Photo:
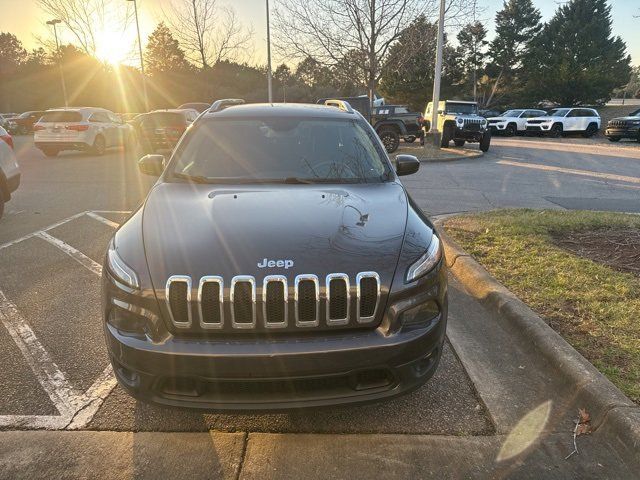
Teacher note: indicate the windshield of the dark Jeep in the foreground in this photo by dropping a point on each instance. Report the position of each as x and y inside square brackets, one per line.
[280, 149]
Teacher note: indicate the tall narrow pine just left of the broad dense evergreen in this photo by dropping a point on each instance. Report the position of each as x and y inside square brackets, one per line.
[517, 26]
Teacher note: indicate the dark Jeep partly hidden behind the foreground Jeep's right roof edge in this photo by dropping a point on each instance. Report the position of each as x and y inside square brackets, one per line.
[391, 122]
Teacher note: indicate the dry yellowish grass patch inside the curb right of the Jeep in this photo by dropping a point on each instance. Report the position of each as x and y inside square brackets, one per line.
[578, 270]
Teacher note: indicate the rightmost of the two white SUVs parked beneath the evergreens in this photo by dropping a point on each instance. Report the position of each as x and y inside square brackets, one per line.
[565, 120]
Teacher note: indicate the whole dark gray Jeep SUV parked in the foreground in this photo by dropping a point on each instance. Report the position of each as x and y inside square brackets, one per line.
[277, 263]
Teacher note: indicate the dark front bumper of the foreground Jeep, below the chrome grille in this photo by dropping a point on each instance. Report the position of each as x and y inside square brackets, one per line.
[272, 372]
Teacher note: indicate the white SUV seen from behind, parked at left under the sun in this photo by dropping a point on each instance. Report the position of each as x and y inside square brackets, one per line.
[87, 129]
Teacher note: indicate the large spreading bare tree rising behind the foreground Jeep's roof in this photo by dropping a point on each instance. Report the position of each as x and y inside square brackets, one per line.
[330, 30]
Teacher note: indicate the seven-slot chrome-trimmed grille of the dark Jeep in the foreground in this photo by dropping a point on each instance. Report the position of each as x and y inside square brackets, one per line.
[272, 304]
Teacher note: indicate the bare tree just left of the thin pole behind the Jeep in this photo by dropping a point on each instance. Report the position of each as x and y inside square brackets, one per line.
[208, 31]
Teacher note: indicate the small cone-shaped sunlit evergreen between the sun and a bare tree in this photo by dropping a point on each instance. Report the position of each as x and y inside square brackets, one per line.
[163, 53]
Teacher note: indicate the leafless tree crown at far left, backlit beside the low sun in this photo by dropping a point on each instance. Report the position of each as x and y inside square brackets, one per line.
[85, 19]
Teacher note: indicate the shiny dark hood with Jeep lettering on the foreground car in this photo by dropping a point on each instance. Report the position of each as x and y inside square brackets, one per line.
[226, 230]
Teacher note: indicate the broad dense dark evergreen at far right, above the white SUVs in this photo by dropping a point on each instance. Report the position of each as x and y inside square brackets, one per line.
[577, 61]
